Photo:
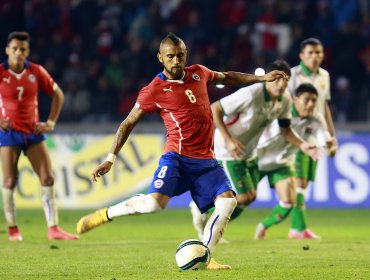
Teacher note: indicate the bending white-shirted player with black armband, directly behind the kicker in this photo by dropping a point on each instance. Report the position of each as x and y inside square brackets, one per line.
[240, 119]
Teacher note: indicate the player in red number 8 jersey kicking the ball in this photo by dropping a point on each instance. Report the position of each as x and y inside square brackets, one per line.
[179, 94]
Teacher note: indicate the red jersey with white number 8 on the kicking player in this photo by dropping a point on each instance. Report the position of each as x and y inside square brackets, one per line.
[185, 109]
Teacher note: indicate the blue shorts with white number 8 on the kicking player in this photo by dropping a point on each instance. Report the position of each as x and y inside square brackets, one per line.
[204, 178]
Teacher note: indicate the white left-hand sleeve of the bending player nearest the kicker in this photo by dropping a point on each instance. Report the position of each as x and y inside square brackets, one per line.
[236, 102]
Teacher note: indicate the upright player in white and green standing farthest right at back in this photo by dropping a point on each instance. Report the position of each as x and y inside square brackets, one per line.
[309, 71]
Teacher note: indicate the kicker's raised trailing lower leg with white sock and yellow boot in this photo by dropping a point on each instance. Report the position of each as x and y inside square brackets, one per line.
[138, 204]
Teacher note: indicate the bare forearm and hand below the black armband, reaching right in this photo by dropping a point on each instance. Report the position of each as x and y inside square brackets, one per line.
[293, 138]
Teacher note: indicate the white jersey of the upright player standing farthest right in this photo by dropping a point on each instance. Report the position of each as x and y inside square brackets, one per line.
[321, 81]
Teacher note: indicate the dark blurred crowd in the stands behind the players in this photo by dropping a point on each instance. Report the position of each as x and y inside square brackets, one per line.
[101, 52]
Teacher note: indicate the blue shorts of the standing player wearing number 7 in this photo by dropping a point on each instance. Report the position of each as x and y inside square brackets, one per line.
[19, 139]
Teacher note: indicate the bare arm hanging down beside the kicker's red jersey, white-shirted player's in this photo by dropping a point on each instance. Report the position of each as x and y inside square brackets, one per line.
[235, 147]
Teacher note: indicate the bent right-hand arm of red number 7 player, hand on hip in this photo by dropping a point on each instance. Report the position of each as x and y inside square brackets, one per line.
[56, 107]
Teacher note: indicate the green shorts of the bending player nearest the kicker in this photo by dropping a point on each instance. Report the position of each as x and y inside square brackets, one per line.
[244, 175]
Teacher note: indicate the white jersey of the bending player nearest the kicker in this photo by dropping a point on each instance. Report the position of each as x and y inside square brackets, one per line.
[247, 112]
